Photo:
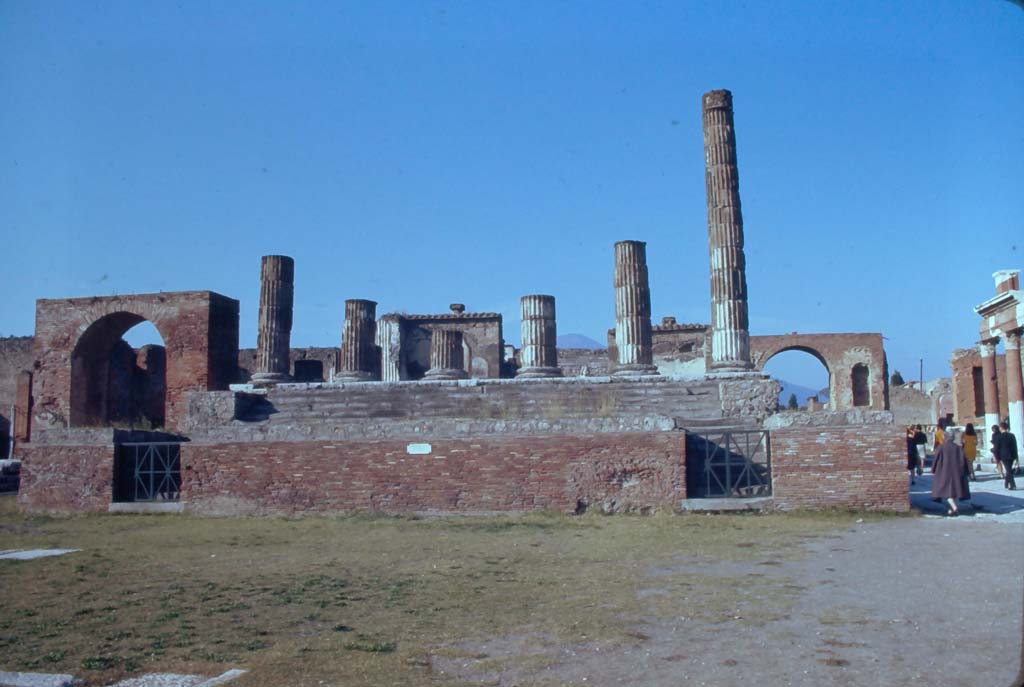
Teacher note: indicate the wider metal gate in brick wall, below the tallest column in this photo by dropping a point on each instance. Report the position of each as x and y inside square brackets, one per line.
[729, 464]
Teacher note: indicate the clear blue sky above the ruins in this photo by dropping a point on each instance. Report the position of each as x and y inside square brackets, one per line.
[420, 154]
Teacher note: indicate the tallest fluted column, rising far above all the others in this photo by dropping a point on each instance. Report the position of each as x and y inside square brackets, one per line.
[731, 345]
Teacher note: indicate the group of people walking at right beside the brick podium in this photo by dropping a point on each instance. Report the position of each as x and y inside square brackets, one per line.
[956, 453]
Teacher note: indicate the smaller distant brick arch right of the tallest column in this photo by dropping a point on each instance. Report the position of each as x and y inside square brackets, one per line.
[839, 354]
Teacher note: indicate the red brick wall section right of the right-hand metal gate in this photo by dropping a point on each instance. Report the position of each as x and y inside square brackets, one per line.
[862, 467]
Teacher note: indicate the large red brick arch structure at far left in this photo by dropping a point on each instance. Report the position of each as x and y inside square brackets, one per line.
[200, 330]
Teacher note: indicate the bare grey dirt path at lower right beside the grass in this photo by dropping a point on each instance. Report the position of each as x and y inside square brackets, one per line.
[900, 603]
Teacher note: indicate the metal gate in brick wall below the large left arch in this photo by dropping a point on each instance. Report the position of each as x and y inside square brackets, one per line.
[150, 471]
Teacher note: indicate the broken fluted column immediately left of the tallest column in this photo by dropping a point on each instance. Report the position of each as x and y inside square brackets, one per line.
[633, 311]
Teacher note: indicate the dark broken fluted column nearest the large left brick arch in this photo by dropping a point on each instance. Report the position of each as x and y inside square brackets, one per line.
[274, 338]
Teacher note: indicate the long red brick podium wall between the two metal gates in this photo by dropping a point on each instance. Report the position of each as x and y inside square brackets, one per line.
[633, 471]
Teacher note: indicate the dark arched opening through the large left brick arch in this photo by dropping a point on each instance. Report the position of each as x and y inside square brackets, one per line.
[119, 374]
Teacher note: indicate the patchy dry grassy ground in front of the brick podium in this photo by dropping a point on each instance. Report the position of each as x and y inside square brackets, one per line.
[364, 600]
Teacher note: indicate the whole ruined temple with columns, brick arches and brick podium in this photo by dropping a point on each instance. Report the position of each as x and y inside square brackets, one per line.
[436, 413]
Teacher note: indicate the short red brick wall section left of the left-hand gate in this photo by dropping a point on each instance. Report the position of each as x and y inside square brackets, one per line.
[66, 480]
